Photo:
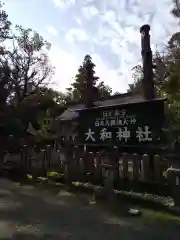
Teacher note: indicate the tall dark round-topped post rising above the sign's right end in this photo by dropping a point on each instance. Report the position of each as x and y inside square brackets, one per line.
[147, 82]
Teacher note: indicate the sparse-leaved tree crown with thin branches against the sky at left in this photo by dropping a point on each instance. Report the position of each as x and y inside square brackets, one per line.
[25, 65]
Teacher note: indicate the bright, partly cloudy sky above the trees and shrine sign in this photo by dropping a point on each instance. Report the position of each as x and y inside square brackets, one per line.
[108, 30]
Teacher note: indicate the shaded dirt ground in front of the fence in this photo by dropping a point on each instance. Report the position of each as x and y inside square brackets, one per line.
[28, 213]
